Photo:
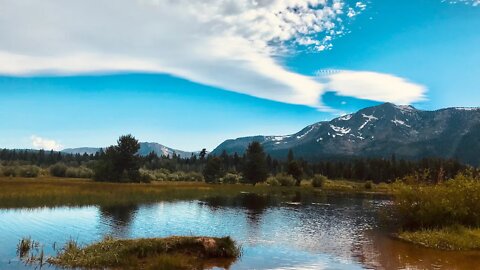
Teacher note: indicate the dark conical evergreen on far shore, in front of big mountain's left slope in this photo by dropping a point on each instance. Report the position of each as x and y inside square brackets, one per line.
[255, 167]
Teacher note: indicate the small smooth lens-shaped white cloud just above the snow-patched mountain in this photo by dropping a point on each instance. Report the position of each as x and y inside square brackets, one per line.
[373, 86]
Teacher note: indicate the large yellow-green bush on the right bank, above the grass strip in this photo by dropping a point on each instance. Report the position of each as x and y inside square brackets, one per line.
[453, 202]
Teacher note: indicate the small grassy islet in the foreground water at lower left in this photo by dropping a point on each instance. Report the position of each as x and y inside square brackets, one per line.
[148, 253]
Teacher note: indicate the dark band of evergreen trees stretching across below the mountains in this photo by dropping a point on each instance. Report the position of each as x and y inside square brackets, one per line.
[122, 163]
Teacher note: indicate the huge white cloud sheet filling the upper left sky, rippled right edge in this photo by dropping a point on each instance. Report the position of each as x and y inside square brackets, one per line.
[230, 44]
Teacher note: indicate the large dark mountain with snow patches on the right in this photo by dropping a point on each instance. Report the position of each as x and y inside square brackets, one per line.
[379, 131]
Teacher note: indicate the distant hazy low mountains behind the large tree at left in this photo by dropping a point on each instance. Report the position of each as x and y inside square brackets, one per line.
[145, 149]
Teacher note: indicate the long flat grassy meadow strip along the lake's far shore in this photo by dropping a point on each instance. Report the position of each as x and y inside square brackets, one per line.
[52, 191]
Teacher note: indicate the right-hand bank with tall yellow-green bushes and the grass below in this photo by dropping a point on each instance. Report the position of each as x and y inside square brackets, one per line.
[443, 215]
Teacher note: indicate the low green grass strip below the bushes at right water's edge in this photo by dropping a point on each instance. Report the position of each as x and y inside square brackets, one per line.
[450, 238]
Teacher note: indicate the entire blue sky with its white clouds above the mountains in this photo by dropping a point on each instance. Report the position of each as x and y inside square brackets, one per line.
[188, 81]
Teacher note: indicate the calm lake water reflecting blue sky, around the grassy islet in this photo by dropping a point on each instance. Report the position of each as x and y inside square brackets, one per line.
[327, 232]
